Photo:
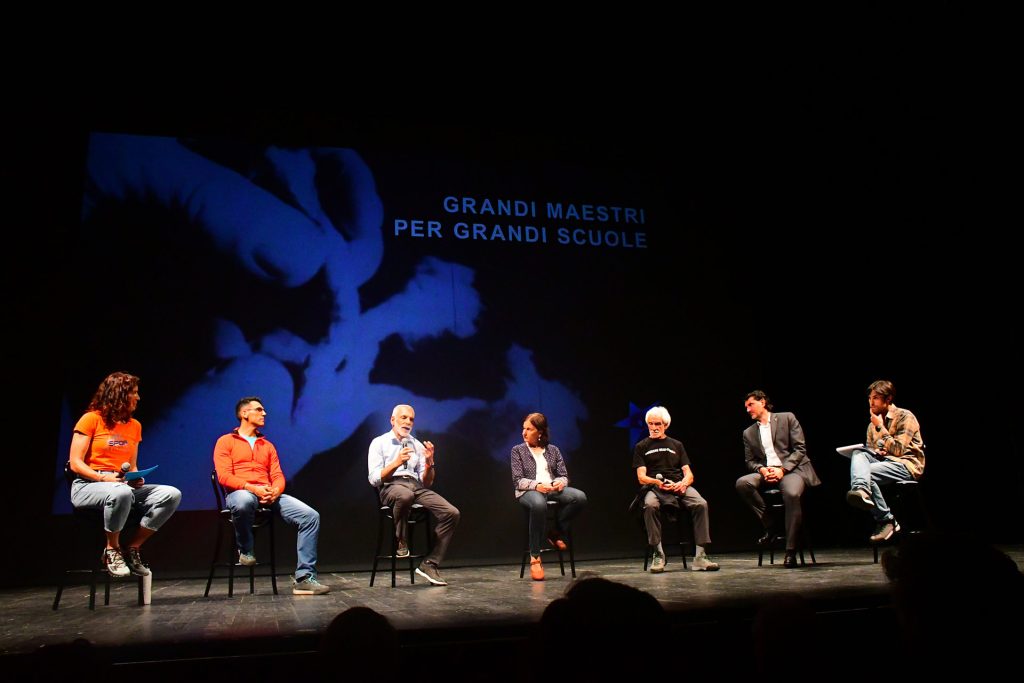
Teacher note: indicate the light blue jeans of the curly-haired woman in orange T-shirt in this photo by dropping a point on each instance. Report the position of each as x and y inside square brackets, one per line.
[156, 502]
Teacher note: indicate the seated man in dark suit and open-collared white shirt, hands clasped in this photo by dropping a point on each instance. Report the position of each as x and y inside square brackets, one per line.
[777, 457]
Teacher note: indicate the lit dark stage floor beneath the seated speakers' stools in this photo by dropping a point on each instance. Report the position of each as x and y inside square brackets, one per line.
[480, 603]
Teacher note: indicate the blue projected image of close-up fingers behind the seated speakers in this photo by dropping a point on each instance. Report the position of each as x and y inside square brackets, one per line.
[232, 234]
